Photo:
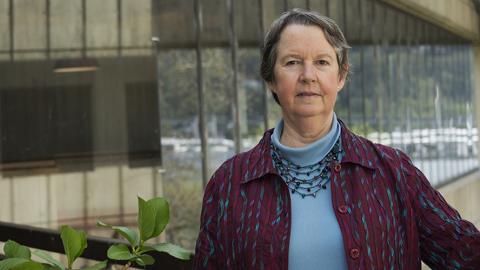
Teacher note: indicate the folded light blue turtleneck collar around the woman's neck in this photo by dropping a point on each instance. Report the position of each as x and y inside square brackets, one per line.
[311, 153]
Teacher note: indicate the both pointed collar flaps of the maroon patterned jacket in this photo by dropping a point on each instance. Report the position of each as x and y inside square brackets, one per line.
[358, 151]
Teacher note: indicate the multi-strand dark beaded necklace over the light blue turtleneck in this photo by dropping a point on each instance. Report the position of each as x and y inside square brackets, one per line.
[316, 175]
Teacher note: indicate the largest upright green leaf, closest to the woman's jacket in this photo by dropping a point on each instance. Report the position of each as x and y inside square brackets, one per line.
[153, 217]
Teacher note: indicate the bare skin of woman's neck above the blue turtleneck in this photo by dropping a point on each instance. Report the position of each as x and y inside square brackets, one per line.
[301, 132]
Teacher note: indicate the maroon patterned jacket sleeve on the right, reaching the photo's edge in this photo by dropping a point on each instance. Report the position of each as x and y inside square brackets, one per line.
[446, 240]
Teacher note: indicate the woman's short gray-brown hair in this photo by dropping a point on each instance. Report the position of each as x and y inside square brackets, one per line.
[332, 32]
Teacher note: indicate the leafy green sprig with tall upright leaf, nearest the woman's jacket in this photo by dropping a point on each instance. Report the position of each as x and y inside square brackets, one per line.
[153, 217]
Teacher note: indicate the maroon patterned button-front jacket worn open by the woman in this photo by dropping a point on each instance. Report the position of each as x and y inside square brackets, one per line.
[389, 215]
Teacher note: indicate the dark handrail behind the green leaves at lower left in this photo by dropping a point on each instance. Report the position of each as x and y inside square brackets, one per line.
[49, 240]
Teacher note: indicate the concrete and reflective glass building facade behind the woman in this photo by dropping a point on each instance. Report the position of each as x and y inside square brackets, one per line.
[101, 101]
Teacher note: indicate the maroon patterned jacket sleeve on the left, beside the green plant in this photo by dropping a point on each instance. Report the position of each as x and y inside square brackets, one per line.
[207, 251]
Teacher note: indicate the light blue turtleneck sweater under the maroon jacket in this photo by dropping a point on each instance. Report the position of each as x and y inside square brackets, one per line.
[315, 238]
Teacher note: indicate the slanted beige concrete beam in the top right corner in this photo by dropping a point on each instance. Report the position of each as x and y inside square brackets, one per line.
[457, 16]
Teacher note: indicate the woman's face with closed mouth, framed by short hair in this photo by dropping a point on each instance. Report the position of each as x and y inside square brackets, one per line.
[306, 72]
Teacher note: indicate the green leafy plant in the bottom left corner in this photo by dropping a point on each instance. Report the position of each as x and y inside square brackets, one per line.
[18, 257]
